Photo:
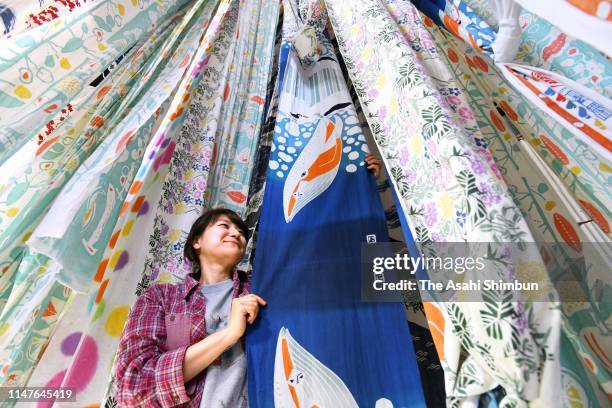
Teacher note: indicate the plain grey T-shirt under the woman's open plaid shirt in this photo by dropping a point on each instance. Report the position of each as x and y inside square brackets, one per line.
[226, 383]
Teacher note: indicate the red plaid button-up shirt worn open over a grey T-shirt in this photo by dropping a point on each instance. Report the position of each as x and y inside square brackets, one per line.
[164, 321]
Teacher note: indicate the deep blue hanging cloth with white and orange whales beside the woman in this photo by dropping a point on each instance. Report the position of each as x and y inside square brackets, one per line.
[316, 343]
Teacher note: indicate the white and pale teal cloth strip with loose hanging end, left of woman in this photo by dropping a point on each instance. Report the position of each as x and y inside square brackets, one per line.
[91, 198]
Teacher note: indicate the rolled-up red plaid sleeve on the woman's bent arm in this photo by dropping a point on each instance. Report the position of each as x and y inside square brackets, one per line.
[145, 372]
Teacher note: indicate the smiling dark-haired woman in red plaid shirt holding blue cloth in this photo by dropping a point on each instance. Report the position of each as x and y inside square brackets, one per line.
[180, 345]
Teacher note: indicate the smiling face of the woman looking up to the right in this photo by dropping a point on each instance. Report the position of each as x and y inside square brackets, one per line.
[222, 241]
